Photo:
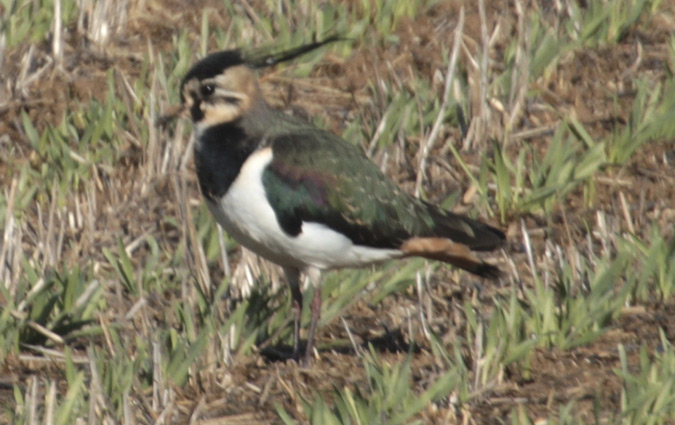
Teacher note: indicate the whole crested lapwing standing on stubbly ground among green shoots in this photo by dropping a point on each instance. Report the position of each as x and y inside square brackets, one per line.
[303, 197]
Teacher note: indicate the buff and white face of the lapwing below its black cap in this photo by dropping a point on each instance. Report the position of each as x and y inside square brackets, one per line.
[223, 98]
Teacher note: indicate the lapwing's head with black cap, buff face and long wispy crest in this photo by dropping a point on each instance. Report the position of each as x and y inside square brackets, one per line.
[223, 86]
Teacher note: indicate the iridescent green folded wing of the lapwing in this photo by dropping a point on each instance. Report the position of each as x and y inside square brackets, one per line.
[316, 176]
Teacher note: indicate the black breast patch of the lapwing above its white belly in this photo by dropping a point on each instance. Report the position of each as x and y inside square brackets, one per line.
[219, 154]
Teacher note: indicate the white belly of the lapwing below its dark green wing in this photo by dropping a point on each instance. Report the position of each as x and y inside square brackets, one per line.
[245, 213]
